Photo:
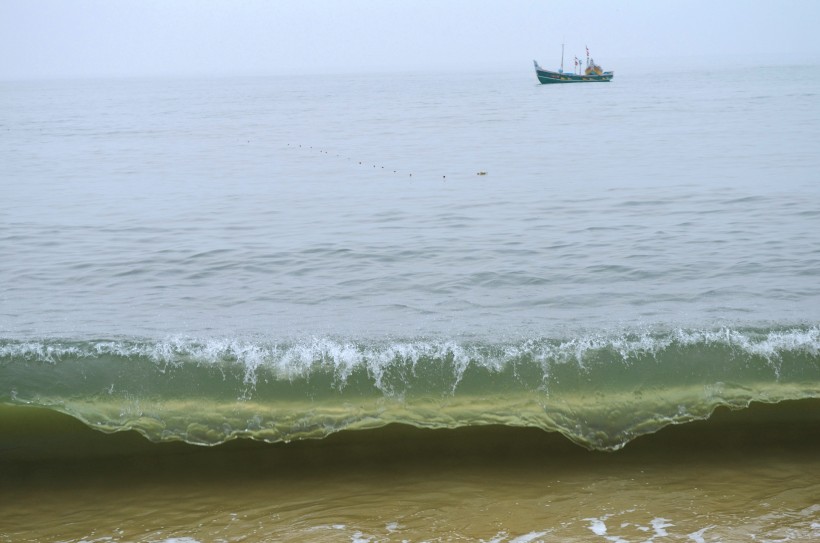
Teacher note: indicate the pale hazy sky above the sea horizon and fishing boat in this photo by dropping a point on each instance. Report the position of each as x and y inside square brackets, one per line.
[57, 38]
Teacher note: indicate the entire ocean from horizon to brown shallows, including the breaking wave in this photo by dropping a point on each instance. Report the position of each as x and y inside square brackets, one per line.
[418, 307]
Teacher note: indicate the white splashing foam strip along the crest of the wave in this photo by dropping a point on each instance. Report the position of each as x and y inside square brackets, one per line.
[295, 357]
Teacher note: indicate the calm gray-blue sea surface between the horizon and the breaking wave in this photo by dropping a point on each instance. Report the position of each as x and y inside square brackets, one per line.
[354, 206]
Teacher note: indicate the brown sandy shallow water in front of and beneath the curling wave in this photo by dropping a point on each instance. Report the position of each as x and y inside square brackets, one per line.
[741, 476]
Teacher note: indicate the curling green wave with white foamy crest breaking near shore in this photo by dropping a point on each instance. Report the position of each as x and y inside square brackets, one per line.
[601, 391]
